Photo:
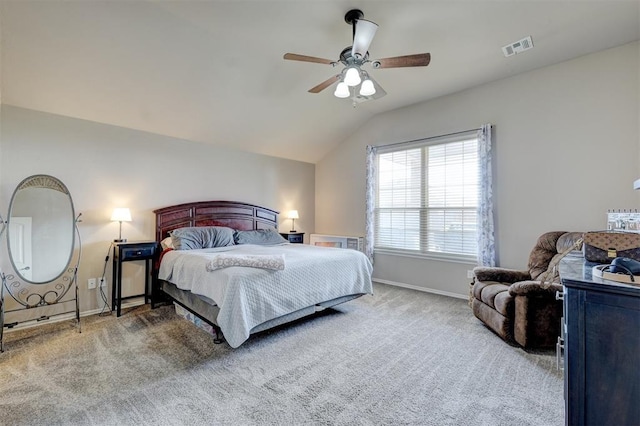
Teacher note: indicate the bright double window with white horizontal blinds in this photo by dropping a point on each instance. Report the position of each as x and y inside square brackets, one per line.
[426, 197]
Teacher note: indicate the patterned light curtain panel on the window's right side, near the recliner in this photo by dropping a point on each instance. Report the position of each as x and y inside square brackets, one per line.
[486, 239]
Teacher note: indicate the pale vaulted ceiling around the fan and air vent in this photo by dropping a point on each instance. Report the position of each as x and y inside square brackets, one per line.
[212, 71]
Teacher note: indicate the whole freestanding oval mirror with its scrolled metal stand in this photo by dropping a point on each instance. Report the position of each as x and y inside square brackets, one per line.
[31, 289]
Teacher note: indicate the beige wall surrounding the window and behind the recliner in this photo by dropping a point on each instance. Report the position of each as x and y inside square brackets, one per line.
[566, 145]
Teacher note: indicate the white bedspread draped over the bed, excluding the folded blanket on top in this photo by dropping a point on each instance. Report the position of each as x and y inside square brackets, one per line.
[247, 297]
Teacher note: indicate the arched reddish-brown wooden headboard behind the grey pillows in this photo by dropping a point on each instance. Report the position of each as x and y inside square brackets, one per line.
[241, 216]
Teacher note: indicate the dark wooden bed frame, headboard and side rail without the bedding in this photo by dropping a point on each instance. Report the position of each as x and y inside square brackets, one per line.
[236, 215]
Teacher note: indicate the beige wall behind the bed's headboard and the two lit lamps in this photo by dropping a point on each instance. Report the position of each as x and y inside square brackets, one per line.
[106, 167]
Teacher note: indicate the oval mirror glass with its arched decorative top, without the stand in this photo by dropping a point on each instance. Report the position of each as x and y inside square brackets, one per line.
[41, 226]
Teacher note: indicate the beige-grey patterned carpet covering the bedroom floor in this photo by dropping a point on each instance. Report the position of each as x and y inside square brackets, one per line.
[398, 357]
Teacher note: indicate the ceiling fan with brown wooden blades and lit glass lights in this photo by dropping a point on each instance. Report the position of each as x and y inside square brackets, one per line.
[354, 82]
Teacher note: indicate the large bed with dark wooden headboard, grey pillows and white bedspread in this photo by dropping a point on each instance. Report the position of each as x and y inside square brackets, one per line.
[290, 281]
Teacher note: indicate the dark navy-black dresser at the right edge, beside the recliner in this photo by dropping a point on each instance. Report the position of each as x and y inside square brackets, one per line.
[602, 350]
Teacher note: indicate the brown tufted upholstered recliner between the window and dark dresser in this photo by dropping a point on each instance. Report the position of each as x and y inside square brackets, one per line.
[513, 303]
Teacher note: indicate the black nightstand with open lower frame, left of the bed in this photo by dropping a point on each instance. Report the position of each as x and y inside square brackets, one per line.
[126, 252]
